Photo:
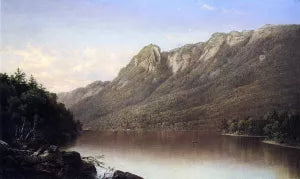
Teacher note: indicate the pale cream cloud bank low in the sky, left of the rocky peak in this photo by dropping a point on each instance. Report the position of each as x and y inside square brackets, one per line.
[60, 70]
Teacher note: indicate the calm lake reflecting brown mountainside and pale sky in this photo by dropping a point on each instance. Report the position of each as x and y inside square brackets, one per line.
[190, 155]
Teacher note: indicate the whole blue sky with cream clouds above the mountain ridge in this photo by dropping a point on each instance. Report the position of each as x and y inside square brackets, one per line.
[67, 44]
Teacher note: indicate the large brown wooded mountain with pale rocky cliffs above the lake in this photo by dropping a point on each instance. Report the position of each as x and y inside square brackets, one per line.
[231, 76]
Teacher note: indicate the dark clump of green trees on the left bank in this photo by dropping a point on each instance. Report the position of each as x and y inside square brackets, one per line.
[31, 116]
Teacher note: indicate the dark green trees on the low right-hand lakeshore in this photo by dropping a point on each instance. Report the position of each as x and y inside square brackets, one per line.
[281, 127]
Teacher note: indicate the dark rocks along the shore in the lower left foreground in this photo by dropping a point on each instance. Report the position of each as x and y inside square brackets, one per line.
[49, 162]
